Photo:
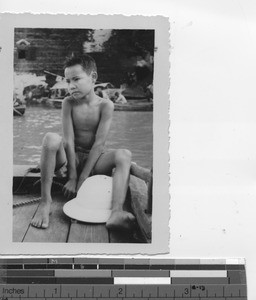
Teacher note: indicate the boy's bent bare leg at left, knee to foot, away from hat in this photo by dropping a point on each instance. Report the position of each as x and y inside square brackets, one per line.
[53, 156]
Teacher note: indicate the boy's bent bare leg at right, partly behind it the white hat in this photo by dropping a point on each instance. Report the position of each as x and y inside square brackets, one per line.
[121, 161]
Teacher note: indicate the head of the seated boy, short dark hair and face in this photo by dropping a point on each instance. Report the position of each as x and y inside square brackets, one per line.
[81, 75]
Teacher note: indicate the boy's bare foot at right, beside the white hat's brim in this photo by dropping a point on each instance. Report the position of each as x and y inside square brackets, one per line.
[121, 220]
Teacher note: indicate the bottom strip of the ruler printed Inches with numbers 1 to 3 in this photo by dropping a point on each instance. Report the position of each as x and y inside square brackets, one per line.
[123, 291]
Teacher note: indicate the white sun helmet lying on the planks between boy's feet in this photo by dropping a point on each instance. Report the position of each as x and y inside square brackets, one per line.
[93, 202]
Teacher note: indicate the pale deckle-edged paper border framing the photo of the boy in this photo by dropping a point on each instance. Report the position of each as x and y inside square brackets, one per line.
[161, 213]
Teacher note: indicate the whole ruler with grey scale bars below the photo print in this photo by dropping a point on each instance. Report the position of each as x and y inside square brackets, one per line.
[131, 279]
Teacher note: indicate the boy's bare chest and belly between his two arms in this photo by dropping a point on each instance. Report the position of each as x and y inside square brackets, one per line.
[86, 119]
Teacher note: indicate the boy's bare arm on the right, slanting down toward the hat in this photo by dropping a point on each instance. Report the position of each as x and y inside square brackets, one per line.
[100, 139]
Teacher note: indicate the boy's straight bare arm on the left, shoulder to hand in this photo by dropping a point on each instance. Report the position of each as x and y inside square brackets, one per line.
[68, 133]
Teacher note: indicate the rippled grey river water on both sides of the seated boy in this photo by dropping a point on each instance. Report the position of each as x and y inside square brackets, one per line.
[129, 130]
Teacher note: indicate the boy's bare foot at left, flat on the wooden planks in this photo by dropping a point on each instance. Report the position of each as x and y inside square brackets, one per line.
[41, 219]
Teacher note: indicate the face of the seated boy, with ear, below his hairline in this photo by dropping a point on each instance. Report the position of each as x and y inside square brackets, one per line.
[80, 84]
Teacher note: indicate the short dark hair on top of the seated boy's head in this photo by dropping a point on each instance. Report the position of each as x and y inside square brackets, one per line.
[85, 60]
